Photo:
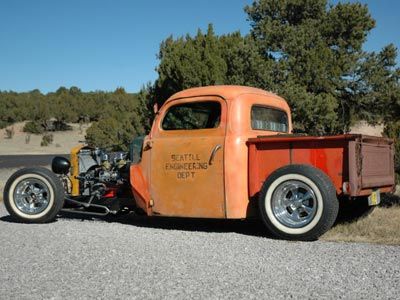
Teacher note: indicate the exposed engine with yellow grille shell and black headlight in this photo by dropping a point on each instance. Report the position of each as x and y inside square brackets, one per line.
[96, 181]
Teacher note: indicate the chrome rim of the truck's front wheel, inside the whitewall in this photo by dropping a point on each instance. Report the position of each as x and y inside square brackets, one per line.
[31, 196]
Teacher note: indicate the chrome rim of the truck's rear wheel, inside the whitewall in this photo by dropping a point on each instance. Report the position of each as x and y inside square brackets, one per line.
[294, 203]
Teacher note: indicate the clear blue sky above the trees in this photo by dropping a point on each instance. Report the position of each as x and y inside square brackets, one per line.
[105, 44]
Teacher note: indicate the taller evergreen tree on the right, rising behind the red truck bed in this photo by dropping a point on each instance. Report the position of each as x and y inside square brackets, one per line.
[328, 79]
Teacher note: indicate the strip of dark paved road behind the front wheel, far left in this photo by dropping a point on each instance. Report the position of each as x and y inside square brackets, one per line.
[16, 161]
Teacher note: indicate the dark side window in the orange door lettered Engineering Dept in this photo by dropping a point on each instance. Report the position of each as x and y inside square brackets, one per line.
[194, 115]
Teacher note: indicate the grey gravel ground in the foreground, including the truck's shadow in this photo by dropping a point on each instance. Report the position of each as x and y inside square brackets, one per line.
[138, 257]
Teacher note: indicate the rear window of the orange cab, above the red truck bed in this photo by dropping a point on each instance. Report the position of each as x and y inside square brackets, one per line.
[267, 118]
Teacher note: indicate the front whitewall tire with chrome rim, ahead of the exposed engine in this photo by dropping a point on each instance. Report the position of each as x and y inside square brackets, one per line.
[33, 195]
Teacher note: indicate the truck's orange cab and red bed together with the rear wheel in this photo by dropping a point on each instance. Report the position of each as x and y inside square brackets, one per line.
[211, 151]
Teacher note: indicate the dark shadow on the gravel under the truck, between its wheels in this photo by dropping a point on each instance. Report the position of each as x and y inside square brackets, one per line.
[245, 227]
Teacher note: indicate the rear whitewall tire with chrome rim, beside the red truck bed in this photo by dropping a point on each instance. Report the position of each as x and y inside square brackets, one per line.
[298, 202]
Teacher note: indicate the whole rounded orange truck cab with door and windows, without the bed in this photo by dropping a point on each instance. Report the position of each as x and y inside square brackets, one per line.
[201, 170]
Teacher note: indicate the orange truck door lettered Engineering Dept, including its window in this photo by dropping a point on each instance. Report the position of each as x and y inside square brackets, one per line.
[187, 159]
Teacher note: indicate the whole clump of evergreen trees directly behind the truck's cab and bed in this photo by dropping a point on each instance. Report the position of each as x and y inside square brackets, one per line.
[304, 50]
